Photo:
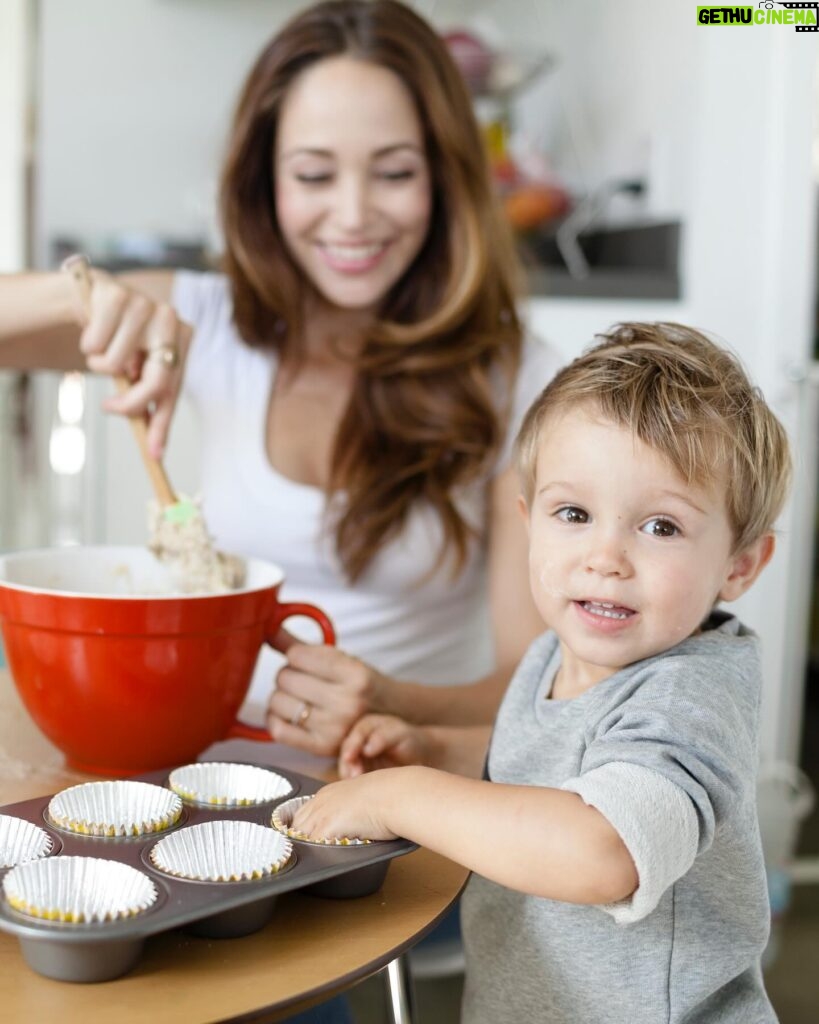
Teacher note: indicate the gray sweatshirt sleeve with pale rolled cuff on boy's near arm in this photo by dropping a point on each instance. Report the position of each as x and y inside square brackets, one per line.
[670, 765]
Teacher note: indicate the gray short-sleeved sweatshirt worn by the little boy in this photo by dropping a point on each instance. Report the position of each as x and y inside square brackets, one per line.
[667, 750]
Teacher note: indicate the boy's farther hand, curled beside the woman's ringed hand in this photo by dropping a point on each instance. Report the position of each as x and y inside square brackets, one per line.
[383, 742]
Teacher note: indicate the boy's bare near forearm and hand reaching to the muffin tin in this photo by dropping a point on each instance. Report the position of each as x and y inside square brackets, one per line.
[540, 841]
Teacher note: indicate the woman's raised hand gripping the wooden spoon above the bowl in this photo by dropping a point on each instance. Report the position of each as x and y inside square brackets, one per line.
[128, 333]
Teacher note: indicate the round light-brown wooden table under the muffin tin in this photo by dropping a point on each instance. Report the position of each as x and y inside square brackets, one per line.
[312, 950]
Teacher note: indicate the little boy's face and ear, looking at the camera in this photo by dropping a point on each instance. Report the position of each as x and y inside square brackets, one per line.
[626, 560]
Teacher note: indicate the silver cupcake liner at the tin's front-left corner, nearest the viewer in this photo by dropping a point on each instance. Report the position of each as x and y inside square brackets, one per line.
[78, 890]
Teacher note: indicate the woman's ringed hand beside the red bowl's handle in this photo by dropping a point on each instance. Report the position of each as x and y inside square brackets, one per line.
[320, 696]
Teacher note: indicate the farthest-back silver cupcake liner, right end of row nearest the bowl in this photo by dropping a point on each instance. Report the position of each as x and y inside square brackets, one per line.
[228, 785]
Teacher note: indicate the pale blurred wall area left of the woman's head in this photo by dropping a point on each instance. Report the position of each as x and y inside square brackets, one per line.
[136, 99]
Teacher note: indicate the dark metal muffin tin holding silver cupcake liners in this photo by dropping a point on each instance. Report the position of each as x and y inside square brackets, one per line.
[100, 951]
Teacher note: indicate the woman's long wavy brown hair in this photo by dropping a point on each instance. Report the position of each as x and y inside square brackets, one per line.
[423, 419]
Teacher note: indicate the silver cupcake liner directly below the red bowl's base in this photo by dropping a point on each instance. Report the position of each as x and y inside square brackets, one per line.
[115, 808]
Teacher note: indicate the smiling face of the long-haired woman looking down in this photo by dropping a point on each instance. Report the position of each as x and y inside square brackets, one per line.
[353, 184]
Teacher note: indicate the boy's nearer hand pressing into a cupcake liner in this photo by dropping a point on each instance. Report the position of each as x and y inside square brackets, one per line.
[353, 810]
